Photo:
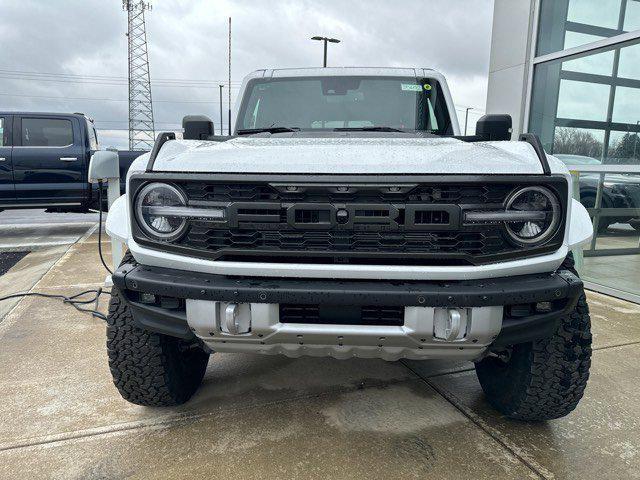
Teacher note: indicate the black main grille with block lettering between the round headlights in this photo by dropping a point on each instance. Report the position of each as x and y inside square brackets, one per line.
[407, 223]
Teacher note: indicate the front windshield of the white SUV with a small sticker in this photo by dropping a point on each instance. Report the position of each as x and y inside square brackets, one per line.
[327, 103]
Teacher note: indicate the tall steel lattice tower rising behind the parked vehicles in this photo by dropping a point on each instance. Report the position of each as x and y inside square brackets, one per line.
[141, 128]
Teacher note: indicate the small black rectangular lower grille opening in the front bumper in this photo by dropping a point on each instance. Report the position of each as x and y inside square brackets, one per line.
[341, 314]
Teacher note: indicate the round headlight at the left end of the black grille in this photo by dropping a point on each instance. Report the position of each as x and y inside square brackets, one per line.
[154, 210]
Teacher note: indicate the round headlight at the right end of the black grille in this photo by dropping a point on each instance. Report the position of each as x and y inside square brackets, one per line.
[544, 209]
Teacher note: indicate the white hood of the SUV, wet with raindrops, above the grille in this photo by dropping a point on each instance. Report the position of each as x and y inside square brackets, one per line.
[347, 155]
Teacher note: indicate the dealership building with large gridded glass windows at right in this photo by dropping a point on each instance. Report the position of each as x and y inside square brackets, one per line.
[569, 71]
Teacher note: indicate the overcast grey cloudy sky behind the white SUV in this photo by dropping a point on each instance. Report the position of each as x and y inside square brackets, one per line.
[71, 55]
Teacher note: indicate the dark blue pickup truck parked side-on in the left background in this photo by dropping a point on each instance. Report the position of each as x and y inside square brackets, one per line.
[44, 158]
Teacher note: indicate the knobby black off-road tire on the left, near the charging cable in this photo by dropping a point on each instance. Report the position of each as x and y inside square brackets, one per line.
[148, 368]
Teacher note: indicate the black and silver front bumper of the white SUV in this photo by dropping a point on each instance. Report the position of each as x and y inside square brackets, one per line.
[492, 308]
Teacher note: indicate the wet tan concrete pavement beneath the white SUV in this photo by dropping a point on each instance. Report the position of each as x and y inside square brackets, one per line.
[274, 417]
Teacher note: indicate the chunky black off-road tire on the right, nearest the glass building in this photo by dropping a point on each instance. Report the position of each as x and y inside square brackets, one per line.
[546, 378]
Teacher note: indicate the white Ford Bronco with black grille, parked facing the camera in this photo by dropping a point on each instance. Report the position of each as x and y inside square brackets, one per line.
[347, 217]
